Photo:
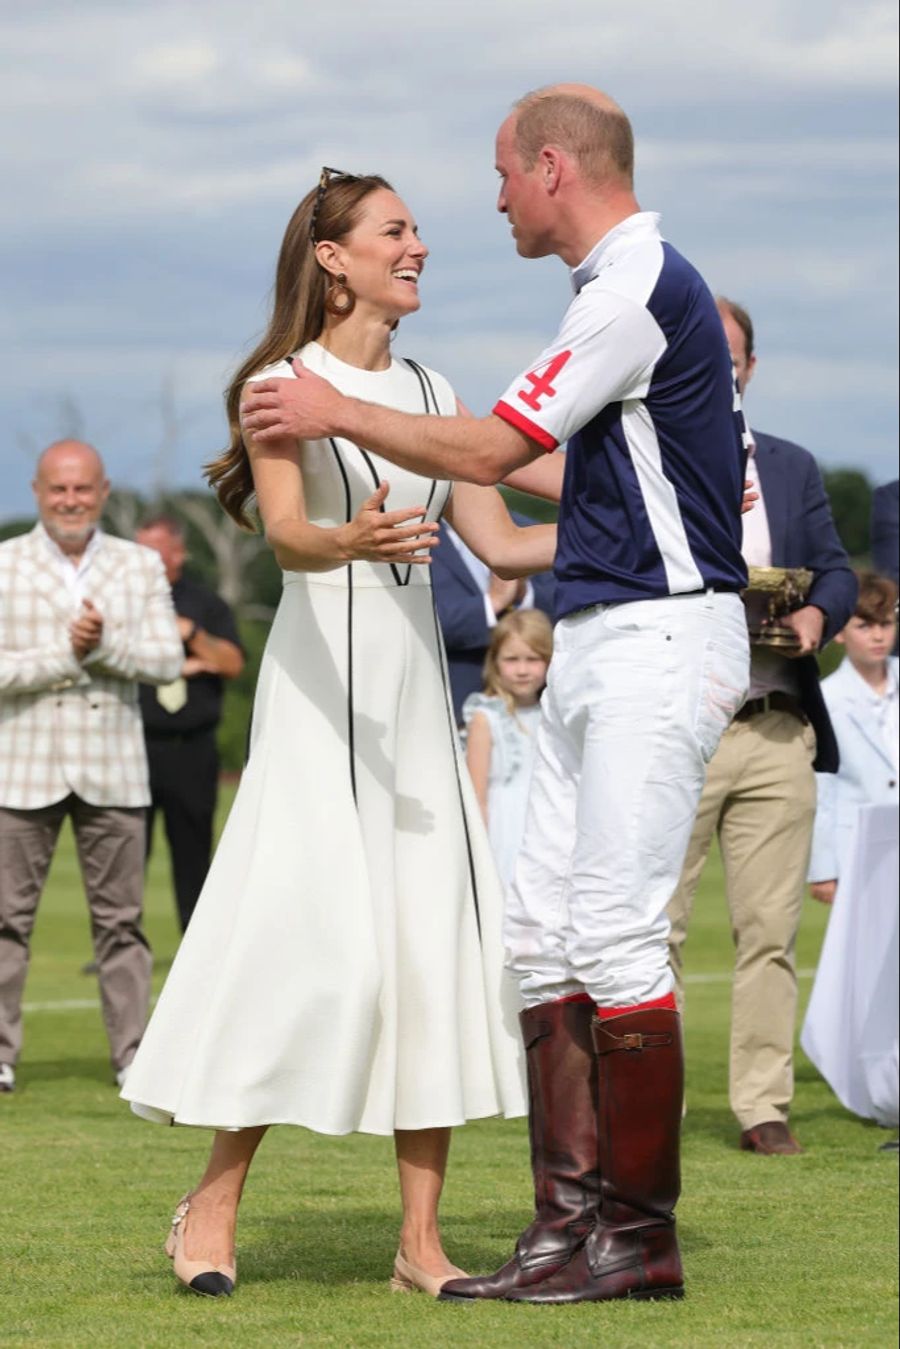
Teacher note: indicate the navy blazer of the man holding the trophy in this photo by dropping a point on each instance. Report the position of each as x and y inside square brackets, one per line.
[804, 535]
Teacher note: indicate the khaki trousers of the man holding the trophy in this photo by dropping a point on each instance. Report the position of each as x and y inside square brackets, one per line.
[760, 798]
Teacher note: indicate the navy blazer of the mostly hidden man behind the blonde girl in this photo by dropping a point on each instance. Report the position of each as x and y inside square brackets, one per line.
[461, 612]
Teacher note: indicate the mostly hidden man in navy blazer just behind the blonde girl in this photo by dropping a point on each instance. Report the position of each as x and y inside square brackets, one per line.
[468, 597]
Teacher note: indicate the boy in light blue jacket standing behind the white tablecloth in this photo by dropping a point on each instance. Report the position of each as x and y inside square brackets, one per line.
[863, 704]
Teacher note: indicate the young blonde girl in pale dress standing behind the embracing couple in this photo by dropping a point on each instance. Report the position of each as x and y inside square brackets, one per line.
[503, 729]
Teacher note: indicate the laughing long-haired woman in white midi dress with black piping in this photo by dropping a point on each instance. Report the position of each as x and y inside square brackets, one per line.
[343, 969]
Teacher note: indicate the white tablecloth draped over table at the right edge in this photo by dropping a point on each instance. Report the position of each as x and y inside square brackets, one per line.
[852, 1025]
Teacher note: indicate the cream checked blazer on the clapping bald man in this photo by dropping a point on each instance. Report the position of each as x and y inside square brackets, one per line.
[68, 725]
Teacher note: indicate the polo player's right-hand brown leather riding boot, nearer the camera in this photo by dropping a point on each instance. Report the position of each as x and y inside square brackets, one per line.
[632, 1251]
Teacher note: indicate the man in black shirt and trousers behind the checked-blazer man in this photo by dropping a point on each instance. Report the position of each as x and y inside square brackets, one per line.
[181, 718]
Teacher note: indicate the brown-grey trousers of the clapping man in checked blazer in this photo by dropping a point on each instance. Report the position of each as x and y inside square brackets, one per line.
[111, 852]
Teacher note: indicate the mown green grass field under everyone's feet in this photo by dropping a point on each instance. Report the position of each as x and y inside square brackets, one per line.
[779, 1251]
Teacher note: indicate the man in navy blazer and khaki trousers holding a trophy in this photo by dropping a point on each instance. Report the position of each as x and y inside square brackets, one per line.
[760, 794]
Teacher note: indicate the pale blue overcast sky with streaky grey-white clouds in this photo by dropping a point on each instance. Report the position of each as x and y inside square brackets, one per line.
[154, 152]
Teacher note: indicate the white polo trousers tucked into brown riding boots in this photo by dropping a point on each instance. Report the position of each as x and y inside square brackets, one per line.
[636, 701]
